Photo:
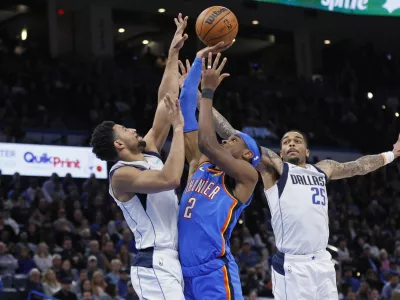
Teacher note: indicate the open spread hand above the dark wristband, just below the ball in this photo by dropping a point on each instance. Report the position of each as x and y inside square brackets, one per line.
[211, 75]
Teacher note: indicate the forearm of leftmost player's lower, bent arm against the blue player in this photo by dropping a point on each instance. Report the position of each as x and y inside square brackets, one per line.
[173, 167]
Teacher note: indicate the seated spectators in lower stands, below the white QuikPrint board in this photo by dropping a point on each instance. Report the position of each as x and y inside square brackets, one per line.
[66, 238]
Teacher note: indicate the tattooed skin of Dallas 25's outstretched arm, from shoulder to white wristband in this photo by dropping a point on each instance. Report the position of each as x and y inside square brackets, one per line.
[361, 166]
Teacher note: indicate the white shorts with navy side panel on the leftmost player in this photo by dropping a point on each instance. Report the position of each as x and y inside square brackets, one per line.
[157, 275]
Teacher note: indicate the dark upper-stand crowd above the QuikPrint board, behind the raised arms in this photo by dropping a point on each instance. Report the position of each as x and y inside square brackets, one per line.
[357, 93]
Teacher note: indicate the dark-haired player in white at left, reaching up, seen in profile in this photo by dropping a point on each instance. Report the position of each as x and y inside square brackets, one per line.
[143, 187]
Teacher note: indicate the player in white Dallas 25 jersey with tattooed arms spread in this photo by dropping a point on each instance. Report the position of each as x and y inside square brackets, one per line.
[297, 197]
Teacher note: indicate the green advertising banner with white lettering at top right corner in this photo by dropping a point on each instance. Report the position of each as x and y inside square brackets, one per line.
[360, 7]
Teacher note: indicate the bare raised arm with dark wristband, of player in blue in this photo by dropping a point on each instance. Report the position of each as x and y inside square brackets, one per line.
[243, 172]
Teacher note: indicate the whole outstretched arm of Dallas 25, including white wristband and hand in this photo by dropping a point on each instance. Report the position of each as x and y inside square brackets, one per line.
[364, 165]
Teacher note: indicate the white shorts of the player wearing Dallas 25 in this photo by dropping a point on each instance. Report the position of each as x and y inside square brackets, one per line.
[304, 277]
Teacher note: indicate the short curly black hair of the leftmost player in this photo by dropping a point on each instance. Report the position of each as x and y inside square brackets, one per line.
[102, 141]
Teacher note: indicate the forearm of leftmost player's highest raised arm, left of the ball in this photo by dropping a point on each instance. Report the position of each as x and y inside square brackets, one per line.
[170, 81]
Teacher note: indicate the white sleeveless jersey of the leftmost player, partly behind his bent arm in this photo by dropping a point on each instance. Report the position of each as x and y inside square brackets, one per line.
[153, 218]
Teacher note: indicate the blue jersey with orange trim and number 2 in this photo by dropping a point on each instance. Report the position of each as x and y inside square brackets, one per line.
[207, 215]
